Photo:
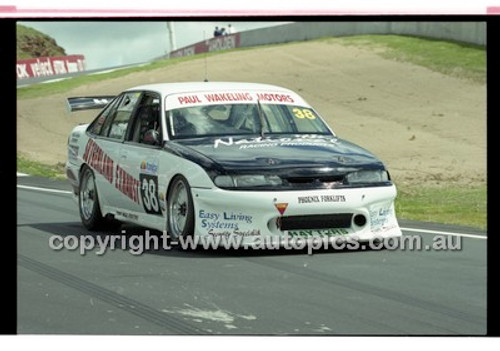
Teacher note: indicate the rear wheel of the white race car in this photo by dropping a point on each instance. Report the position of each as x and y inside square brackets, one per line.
[88, 201]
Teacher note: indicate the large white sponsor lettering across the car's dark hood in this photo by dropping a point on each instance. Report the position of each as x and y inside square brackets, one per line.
[260, 142]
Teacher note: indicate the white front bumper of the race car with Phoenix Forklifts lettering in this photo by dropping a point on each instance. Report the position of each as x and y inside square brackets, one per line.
[362, 213]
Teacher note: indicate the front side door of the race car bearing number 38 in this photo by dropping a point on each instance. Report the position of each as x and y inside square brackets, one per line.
[139, 159]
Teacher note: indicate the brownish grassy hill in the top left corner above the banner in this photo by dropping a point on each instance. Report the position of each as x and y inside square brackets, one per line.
[32, 43]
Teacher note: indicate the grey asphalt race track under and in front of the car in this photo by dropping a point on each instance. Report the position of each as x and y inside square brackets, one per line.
[363, 292]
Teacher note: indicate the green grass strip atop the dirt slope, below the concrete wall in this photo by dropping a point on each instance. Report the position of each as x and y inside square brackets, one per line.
[447, 57]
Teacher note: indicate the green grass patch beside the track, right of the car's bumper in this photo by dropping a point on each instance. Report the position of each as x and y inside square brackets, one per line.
[451, 204]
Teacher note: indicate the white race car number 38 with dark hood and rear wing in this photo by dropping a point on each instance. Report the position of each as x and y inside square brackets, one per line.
[213, 159]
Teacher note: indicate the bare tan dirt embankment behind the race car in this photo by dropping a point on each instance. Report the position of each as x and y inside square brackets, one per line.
[426, 127]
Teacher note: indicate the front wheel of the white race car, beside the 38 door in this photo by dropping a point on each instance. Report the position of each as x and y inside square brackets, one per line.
[180, 212]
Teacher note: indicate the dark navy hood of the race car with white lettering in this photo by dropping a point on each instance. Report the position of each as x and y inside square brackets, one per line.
[297, 154]
